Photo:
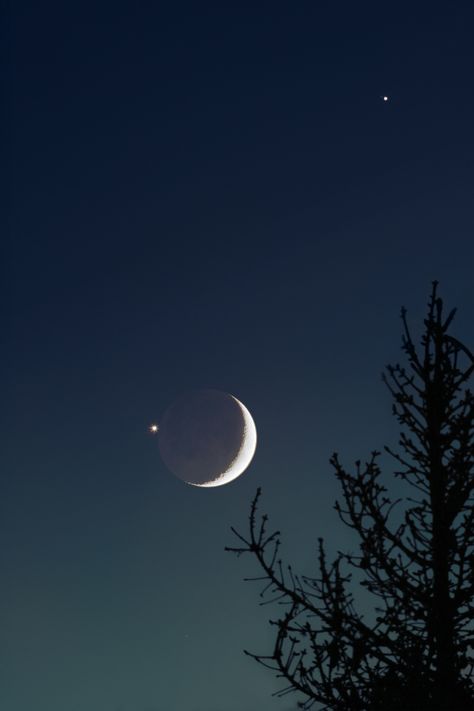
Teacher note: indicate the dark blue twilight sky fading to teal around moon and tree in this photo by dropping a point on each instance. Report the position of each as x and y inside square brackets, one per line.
[206, 195]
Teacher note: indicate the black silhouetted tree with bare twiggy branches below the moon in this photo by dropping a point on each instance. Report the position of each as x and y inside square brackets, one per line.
[417, 653]
